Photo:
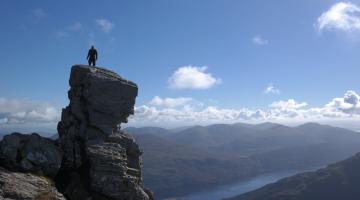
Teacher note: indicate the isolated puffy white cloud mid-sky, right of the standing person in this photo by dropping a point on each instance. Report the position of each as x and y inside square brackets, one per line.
[192, 77]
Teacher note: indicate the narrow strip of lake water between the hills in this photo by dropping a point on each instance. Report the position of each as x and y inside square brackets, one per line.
[241, 186]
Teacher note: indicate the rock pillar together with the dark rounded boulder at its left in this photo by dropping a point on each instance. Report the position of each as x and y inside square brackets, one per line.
[93, 158]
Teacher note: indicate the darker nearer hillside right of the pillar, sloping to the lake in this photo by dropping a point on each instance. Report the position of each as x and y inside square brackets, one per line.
[171, 169]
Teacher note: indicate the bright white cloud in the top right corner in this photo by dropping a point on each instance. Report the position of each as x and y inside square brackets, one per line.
[342, 16]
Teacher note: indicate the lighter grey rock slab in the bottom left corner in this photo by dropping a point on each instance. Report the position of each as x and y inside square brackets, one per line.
[25, 186]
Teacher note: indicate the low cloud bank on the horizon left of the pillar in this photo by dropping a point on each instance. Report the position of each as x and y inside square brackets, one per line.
[14, 111]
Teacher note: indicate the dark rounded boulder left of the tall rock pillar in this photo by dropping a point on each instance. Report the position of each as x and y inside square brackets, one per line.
[30, 153]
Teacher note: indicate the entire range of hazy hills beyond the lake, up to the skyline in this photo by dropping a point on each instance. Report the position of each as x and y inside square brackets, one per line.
[184, 160]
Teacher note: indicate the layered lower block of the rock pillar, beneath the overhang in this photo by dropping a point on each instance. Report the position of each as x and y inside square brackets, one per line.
[116, 168]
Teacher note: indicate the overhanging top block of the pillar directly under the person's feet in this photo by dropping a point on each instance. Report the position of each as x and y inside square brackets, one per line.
[106, 98]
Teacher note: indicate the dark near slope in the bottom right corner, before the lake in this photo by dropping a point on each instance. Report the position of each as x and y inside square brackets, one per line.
[339, 181]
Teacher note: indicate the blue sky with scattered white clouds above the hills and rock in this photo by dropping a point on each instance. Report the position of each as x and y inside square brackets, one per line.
[195, 62]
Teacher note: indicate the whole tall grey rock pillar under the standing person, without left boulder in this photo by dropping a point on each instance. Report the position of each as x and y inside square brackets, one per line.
[99, 101]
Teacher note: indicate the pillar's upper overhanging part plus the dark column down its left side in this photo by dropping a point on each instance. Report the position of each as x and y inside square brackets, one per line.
[99, 101]
